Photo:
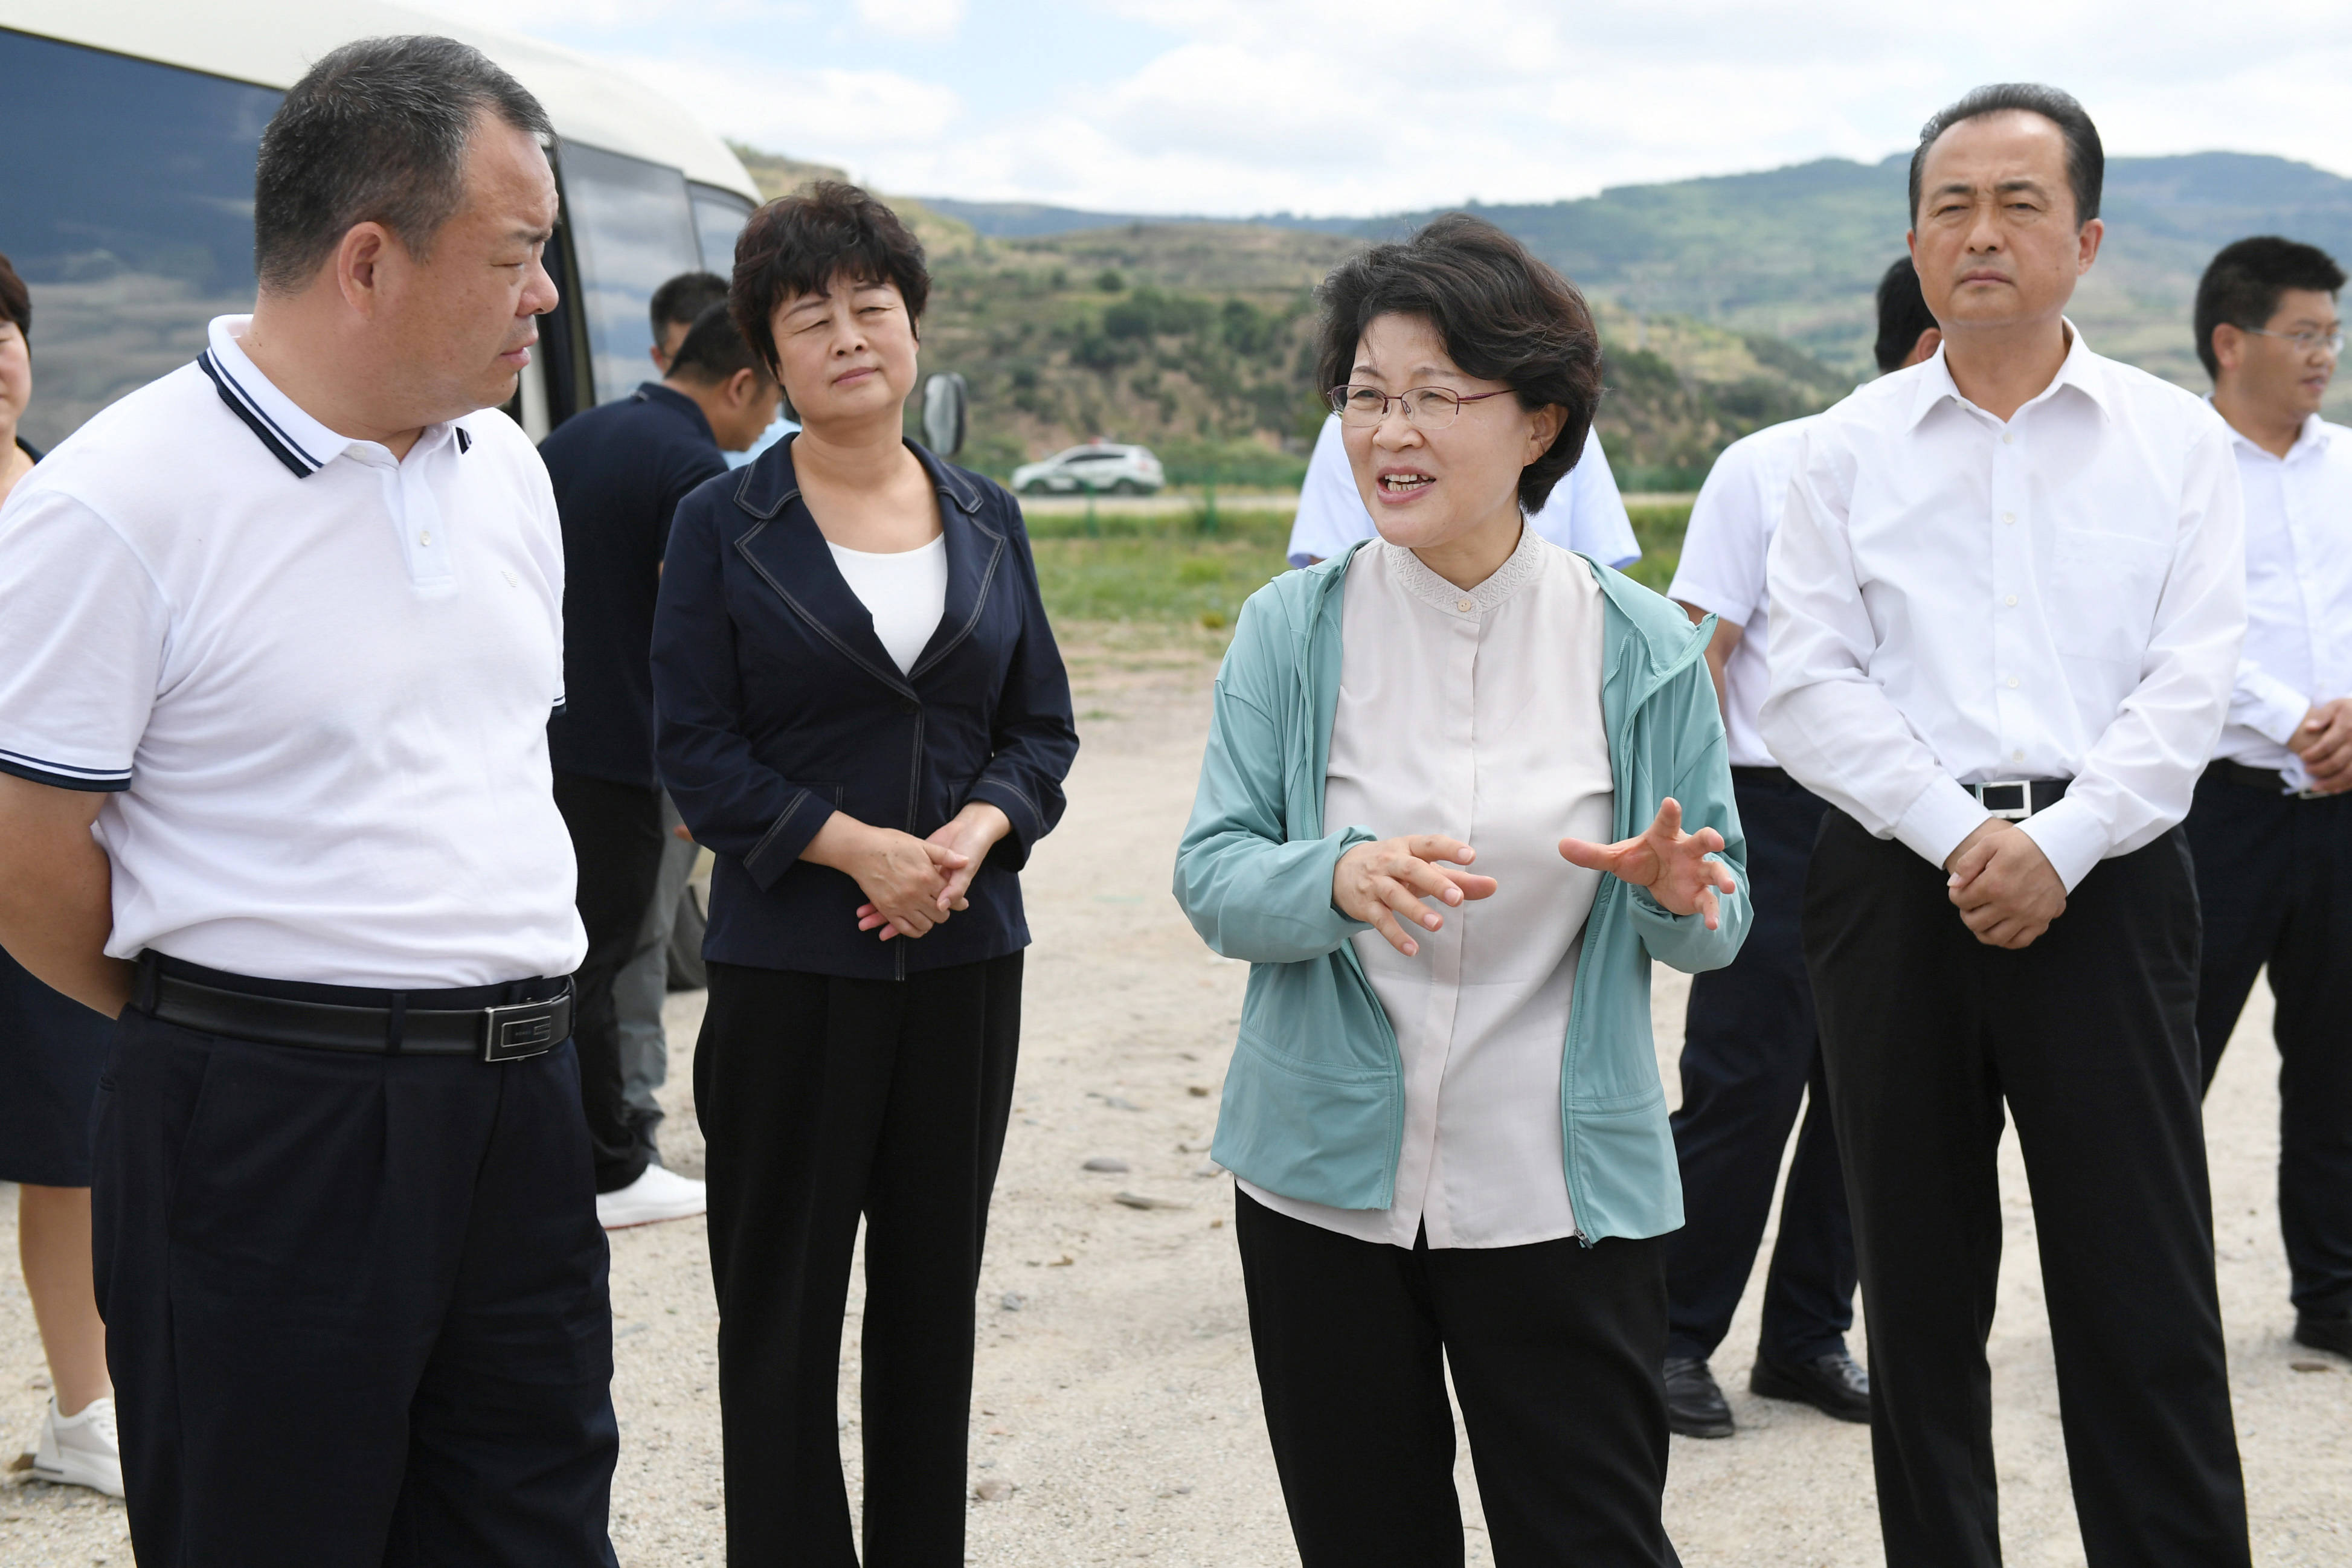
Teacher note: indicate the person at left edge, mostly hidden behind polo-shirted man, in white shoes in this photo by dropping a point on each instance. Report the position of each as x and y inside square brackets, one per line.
[51, 1057]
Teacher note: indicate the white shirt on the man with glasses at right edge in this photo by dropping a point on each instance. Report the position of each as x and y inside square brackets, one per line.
[2299, 594]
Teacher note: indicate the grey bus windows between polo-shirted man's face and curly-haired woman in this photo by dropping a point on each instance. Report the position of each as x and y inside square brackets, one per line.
[632, 232]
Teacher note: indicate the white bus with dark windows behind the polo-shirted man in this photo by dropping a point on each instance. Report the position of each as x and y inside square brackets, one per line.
[128, 138]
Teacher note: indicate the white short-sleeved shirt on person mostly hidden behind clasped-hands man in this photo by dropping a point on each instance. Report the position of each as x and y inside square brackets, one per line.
[1723, 568]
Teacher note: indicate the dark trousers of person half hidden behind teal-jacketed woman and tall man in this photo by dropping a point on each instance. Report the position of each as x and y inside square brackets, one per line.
[1751, 1054]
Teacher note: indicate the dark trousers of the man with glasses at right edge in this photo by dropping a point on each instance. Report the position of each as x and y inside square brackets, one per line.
[2273, 876]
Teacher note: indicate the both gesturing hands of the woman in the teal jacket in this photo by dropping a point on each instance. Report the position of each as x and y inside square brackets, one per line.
[1389, 880]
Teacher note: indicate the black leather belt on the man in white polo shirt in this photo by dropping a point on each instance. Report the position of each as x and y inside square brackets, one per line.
[497, 1033]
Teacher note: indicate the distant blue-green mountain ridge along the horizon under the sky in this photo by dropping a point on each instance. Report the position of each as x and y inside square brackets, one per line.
[1796, 253]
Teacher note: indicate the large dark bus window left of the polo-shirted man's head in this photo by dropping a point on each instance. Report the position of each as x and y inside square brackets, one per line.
[131, 215]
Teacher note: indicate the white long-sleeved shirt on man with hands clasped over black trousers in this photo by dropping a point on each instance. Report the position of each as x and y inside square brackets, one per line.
[1965, 601]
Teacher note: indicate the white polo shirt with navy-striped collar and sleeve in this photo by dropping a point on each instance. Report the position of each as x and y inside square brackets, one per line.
[312, 678]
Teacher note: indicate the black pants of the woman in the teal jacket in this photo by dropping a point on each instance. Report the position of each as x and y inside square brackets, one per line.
[1556, 1353]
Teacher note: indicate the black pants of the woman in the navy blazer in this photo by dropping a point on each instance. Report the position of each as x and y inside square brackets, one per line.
[824, 1099]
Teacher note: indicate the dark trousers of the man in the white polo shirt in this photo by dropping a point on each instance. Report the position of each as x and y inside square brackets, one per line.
[356, 1306]
